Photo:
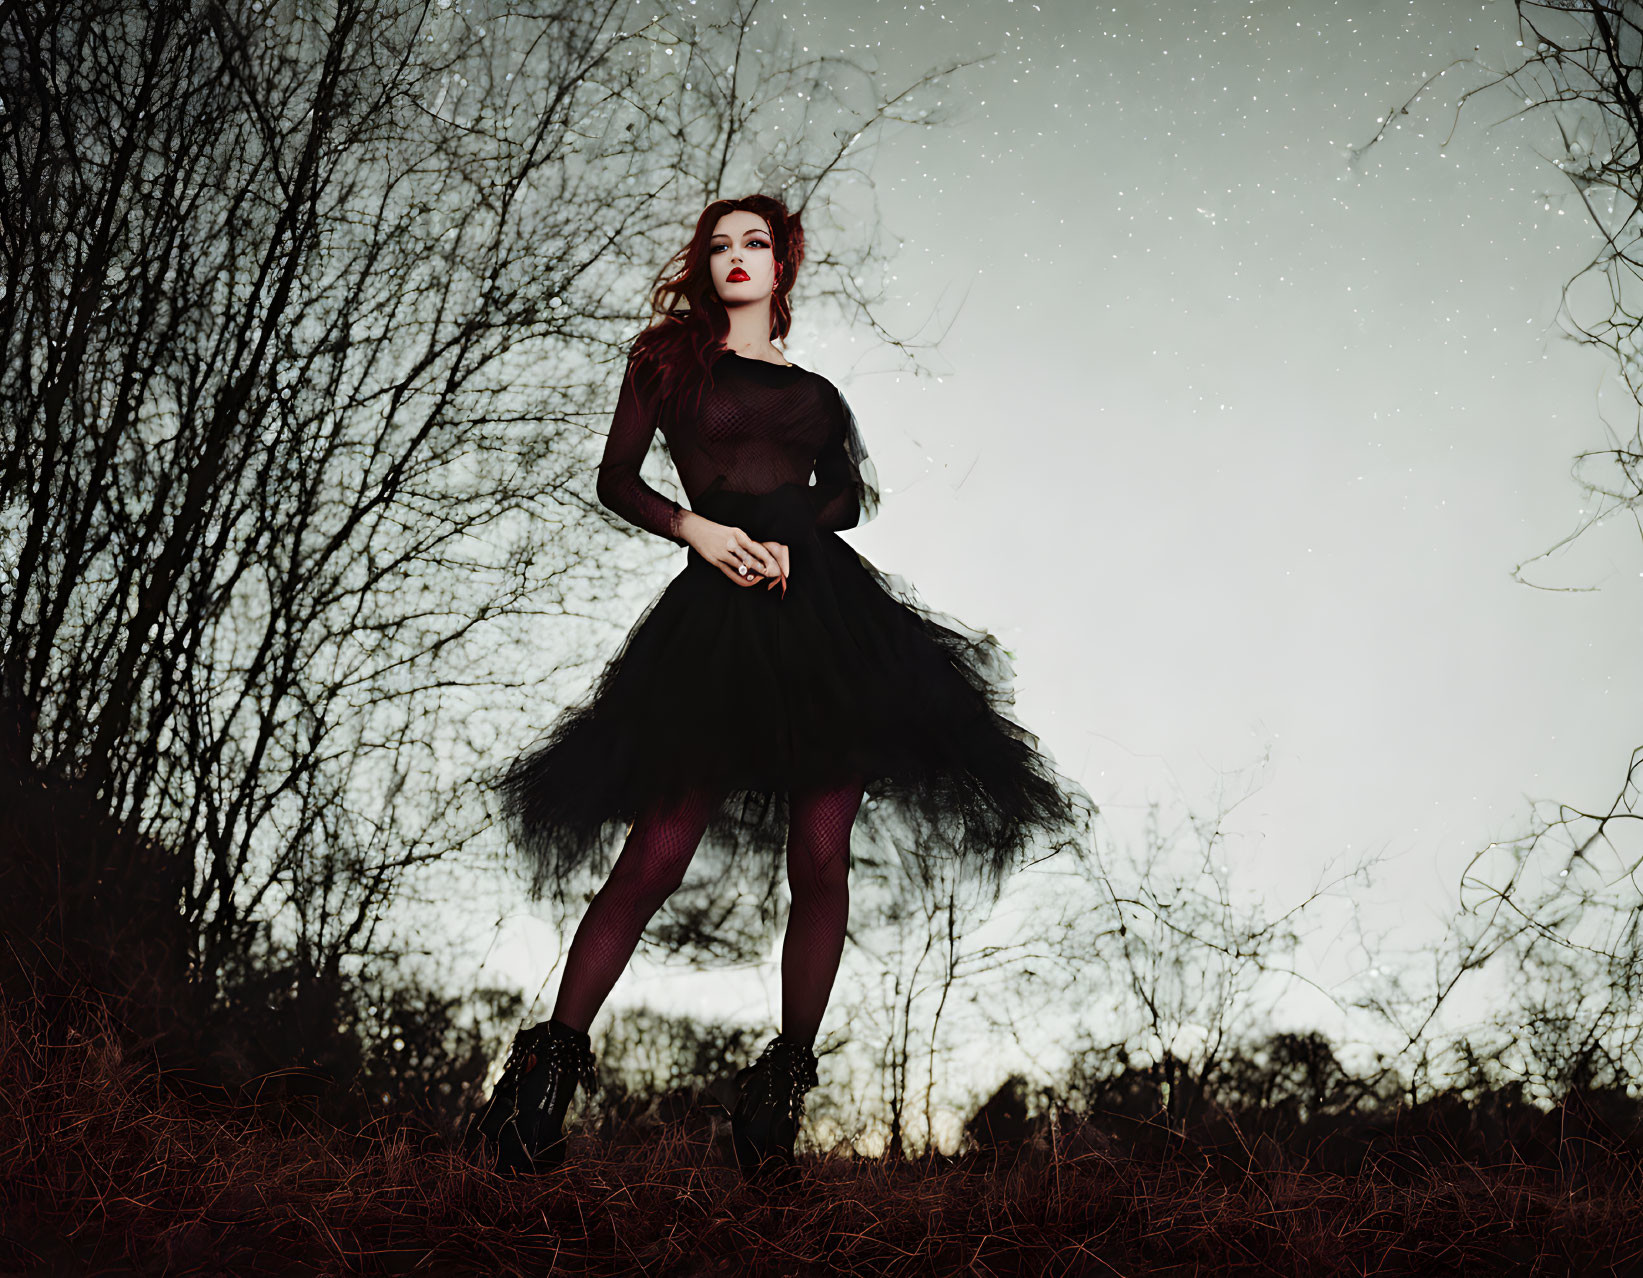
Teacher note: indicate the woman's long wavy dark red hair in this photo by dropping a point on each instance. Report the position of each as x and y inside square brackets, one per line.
[684, 344]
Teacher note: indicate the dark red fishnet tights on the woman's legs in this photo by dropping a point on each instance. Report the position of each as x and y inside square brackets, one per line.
[653, 863]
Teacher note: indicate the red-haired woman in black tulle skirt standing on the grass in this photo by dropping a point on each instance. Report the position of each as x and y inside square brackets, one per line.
[776, 681]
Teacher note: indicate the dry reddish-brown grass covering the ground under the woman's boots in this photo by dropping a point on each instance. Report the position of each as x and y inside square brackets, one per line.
[109, 1167]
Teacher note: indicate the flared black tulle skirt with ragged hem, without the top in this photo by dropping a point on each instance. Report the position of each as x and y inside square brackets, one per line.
[845, 679]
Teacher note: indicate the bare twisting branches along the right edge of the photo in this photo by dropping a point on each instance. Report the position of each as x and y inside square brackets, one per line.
[1553, 914]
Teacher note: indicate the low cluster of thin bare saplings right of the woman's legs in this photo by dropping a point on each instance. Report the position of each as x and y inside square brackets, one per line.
[1146, 960]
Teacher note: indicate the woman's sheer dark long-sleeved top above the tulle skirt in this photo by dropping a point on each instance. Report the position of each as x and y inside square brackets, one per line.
[760, 426]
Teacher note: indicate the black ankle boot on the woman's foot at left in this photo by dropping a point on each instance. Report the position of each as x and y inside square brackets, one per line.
[523, 1123]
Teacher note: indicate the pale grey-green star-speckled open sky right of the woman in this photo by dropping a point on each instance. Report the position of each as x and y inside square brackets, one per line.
[1238, 446]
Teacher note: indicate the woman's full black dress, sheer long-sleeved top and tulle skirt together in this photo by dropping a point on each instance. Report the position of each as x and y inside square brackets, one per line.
[757, 691]
